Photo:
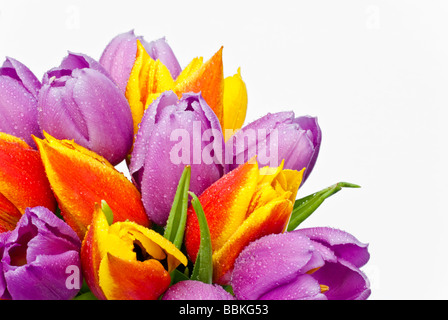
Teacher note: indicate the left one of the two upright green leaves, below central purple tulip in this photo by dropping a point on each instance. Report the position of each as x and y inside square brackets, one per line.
[175, 226]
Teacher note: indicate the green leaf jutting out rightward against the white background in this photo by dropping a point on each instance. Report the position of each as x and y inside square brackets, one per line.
[304, 207]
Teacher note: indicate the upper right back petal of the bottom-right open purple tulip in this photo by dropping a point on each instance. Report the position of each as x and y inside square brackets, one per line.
[343, 244]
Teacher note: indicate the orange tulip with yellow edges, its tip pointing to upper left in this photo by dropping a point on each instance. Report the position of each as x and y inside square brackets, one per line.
[80, 178]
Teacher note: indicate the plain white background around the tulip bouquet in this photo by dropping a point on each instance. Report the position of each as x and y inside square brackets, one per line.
[374, 72]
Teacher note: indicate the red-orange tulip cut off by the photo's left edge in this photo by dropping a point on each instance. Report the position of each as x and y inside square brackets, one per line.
[23, 182]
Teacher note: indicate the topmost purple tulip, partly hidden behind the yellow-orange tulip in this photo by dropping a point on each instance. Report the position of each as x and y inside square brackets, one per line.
[119, 56]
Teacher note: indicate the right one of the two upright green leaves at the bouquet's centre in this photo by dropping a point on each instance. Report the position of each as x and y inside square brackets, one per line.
[203, 267]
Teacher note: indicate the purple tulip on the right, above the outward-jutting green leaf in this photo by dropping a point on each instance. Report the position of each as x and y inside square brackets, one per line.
[275, 137]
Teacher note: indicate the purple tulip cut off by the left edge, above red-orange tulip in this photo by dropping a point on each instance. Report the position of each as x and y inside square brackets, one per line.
[19, 88]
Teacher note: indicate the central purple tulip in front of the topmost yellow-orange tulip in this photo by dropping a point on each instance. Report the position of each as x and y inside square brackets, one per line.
[175, 133]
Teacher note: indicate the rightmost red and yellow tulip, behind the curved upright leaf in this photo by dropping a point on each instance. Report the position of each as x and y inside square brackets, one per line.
[242, 206]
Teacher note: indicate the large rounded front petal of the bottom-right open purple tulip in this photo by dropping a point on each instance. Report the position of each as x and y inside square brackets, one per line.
[270, 262]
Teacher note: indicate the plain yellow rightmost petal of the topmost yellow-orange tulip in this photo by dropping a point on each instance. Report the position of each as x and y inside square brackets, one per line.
[234, 103]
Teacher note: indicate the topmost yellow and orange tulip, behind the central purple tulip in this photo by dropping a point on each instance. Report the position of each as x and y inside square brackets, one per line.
[227, 97]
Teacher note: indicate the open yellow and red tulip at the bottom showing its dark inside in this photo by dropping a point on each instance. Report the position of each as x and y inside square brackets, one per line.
[126, 261]
